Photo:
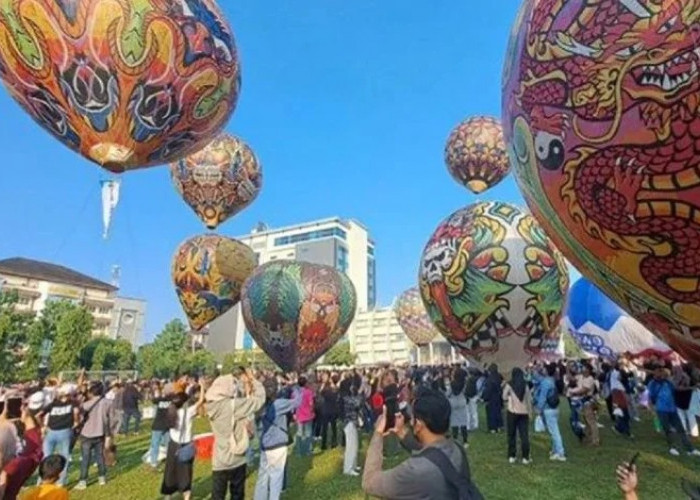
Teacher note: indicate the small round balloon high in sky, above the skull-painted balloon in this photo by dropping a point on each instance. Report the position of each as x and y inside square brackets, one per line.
[475, 153]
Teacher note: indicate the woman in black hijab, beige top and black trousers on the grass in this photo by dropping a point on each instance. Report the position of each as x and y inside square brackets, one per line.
[518, 398]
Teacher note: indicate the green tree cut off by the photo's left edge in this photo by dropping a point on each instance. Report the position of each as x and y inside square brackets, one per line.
[14, 333]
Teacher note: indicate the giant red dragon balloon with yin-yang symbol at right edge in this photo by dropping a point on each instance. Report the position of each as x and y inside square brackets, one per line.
[600, 111]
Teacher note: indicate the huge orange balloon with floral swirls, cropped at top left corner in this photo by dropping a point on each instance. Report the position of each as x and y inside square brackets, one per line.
[127, 84]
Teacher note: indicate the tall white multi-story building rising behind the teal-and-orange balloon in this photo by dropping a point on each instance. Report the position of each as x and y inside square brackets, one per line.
[343, 244]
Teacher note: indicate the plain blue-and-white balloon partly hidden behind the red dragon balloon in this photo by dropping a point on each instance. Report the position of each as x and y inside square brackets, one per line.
[601, 328]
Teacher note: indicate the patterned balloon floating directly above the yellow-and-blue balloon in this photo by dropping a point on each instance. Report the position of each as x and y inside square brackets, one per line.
[220, 180]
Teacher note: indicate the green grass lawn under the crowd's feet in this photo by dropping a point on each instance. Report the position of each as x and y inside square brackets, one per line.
[589, 473]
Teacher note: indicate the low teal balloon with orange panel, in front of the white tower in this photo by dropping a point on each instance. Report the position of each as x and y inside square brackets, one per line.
[296, 311]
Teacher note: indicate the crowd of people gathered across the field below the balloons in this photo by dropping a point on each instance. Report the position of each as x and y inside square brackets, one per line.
[428, 411]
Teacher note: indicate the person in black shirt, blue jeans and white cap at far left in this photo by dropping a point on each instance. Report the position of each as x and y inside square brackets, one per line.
[61, 415]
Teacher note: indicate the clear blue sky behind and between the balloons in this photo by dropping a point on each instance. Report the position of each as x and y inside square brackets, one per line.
[347, 105]
